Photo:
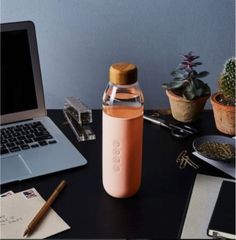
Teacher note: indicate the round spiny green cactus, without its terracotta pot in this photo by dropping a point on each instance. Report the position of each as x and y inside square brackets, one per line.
[227, 82]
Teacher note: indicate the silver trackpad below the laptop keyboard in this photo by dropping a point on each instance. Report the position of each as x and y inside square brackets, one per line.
[13, 168]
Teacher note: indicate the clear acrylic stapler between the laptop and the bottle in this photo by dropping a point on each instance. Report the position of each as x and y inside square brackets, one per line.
[79, 116]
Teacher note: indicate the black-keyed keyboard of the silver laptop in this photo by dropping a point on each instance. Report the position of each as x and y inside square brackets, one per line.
[24, 137]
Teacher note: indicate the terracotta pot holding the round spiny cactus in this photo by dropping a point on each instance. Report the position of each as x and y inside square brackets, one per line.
[224, 116]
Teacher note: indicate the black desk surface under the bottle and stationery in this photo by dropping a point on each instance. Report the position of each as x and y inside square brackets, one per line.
[159, 208]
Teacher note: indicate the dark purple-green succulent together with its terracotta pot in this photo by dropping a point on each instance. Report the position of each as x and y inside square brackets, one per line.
[187, 93]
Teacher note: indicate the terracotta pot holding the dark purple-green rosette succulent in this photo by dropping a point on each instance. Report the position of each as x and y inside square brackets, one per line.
[185, 110]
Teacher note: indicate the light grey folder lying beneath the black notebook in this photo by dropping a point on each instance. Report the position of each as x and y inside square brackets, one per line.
[201, 205]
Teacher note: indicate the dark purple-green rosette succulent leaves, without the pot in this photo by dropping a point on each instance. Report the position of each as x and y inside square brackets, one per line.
[186, 82]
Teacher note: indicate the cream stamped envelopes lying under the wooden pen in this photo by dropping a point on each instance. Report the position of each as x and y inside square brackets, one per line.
[17, 210]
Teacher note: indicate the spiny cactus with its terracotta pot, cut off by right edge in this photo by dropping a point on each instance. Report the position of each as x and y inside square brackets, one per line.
[223, 101]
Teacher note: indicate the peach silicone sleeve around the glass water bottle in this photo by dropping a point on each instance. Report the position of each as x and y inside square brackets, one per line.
[122, 155]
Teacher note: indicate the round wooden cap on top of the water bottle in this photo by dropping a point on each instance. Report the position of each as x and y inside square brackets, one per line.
[123, 73]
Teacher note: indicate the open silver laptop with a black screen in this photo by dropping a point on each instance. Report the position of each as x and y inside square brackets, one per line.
[31, 144]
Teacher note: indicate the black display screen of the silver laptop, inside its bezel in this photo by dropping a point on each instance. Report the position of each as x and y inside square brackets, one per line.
[17, 80]
